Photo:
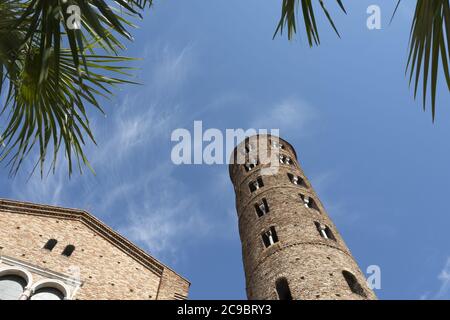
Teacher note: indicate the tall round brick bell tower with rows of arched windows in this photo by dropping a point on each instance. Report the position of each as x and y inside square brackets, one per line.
[290, 247]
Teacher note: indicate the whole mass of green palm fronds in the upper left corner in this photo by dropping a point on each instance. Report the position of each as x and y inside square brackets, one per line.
[51, 73]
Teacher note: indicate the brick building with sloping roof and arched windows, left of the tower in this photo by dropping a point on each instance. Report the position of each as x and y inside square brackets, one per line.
[57, 253]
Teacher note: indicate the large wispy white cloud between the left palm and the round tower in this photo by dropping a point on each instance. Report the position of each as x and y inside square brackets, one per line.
[136, 188]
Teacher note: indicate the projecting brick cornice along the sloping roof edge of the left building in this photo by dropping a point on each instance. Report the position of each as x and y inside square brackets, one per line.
[99, 227]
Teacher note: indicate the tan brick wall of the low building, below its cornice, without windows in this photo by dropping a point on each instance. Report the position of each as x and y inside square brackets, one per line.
[107, 272]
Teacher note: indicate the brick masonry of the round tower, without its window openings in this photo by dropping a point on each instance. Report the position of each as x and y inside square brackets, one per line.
[312, 264]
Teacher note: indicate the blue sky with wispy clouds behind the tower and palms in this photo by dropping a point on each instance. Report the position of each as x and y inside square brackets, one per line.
[376, 160]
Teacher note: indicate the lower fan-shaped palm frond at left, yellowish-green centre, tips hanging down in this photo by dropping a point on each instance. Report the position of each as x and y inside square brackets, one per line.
[39, 115]
